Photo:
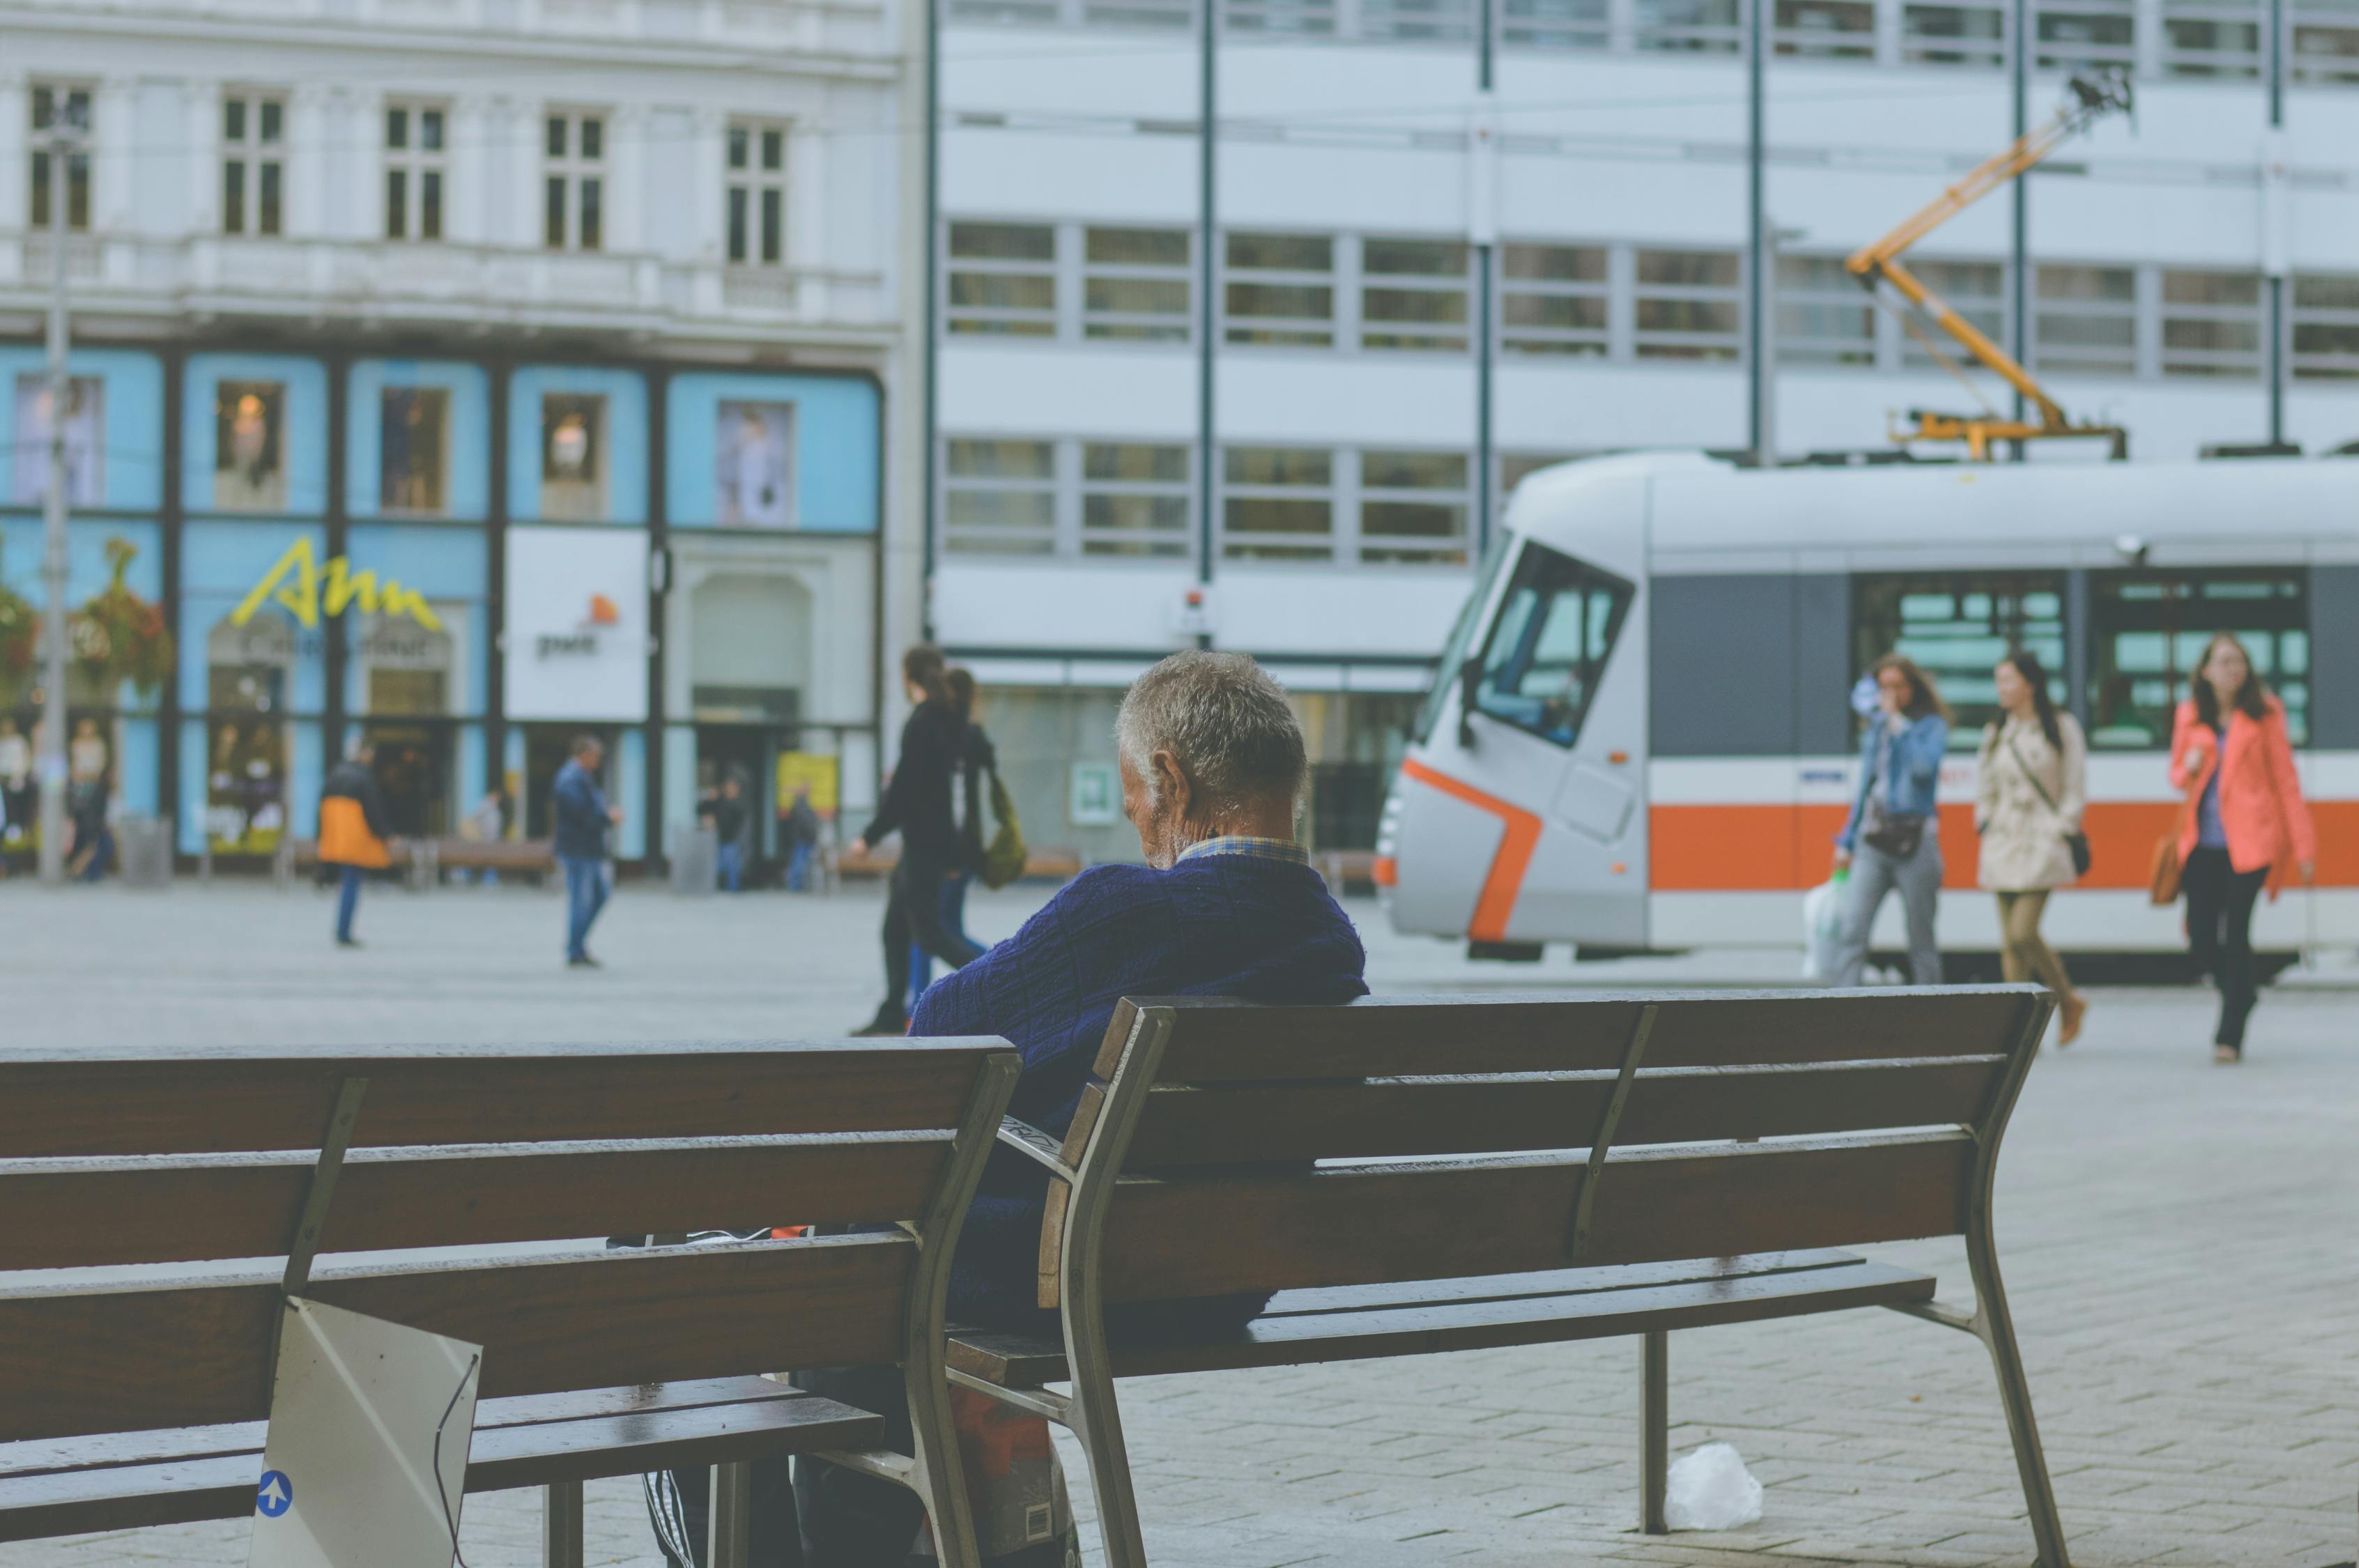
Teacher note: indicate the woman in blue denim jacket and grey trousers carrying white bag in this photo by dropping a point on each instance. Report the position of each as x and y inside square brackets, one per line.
[1891, 838]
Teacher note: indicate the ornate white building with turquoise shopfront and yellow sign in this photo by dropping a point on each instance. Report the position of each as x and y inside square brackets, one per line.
[574, 317]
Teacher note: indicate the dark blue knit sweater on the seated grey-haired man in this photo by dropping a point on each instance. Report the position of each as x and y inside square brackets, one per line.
[1233, 925]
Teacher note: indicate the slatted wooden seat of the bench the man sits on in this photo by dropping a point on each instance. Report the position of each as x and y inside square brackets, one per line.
[1417, 1329]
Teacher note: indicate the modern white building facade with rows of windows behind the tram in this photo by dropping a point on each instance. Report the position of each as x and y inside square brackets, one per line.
[1251, 404]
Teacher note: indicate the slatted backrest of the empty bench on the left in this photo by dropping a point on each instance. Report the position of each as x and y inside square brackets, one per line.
[173, 1159]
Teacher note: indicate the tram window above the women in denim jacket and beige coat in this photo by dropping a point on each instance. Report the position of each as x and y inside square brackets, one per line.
[1957, 628]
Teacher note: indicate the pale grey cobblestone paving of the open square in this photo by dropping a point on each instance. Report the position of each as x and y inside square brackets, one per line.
[2181, 1246]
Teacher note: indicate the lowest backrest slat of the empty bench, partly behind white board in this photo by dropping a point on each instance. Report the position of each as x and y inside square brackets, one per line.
[88, 1362]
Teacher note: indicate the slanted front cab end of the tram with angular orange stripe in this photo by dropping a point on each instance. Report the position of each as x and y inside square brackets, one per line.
[1523, 819]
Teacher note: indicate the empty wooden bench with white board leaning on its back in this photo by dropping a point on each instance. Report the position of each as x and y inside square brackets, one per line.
[138, 1397]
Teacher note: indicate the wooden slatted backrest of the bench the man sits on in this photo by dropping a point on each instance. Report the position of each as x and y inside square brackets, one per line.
[1478, 1138]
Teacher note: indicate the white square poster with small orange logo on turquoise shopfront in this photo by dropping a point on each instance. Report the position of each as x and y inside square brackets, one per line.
[577, 624]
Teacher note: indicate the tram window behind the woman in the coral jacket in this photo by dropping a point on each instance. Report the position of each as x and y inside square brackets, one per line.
[2150, 631]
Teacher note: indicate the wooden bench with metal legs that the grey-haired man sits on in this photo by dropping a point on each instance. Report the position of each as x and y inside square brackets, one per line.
[1520, 1171]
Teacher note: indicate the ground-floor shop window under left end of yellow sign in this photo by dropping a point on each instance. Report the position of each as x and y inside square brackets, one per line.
[247, 772]
